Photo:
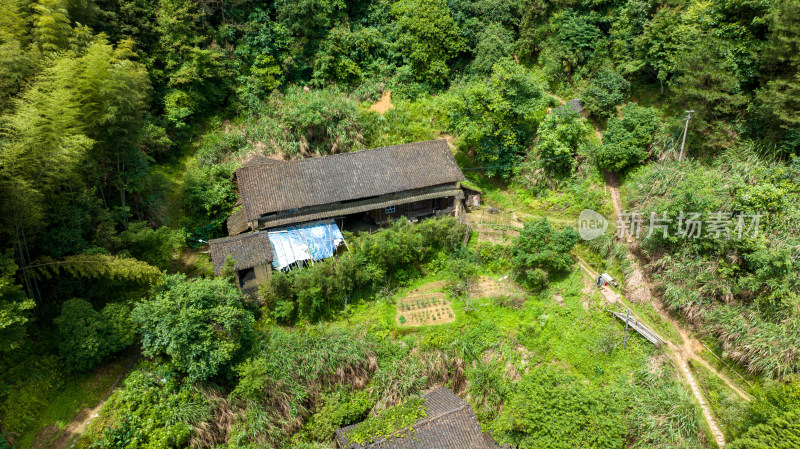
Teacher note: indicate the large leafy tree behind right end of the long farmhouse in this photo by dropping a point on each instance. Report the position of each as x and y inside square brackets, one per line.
[499, 118]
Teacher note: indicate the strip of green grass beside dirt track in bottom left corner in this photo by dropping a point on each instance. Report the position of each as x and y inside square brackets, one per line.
[79, 392]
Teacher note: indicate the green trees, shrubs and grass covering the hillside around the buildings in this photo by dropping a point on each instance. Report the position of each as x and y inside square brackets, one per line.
[123, 121]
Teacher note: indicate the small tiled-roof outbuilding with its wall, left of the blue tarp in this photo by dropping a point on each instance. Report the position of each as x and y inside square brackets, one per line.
[252, 253]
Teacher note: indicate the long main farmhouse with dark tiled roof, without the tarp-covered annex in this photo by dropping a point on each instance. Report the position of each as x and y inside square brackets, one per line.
[412, 180]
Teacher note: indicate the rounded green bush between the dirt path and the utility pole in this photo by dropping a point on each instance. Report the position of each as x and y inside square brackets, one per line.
[627, 141]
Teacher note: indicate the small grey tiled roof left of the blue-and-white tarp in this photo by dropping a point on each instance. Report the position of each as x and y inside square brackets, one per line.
[248, 250]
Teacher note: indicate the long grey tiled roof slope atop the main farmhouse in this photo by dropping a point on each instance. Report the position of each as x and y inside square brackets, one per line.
[273, 187]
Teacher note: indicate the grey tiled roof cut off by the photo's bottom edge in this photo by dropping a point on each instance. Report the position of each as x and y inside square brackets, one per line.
[450, 424]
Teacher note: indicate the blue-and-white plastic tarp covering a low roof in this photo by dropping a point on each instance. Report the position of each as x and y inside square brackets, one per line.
[317, 240]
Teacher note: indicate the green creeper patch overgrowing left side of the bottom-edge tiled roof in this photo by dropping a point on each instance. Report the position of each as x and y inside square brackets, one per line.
[390, 422]
